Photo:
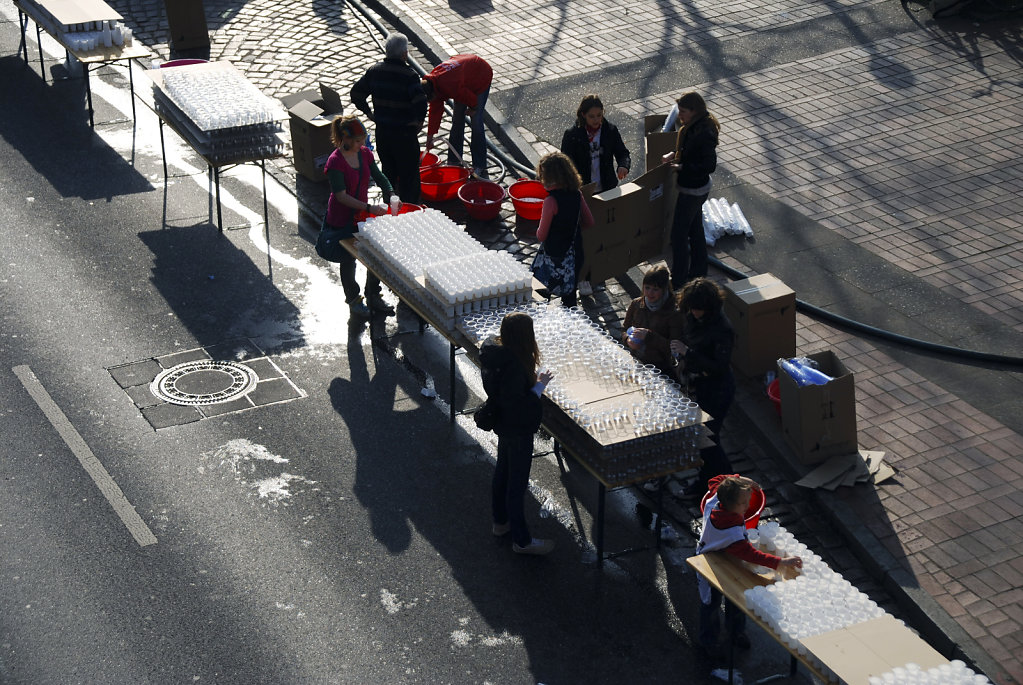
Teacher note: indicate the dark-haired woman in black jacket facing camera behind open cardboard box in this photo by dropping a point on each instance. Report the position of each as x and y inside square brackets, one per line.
[595, 145]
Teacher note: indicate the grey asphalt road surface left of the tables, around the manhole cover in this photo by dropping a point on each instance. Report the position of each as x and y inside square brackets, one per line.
[342, 537]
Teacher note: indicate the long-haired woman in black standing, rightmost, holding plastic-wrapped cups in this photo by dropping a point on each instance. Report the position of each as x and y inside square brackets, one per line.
[695, 159]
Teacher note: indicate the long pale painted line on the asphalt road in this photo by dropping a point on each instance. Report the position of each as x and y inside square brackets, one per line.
[122, 508]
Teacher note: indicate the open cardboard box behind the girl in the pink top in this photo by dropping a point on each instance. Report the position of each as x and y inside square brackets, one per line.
[312, 113]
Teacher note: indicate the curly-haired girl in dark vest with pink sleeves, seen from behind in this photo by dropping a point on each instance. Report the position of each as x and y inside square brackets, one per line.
[564, 216]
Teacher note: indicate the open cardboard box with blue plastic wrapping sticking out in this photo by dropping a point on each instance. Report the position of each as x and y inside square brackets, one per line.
[820, 422]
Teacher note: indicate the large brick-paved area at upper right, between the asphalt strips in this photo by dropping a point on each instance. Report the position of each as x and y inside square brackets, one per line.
[896, 149]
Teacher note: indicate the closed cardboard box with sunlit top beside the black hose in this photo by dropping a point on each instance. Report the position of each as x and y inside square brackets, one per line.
[763, 311]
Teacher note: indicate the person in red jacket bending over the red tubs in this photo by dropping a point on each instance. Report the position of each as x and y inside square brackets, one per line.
[465, 79]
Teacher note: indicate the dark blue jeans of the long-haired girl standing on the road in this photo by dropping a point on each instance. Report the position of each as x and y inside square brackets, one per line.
[515, 458]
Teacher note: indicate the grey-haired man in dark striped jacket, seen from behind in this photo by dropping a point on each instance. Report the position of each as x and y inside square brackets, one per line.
[399, 112]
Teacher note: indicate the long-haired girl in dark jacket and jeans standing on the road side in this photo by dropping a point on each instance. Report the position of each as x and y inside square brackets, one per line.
[509, 369]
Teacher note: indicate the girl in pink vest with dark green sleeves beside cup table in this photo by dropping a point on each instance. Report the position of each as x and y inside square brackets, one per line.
[349, 170]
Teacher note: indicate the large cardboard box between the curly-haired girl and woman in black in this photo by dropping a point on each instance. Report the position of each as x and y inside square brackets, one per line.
[631, 224]
